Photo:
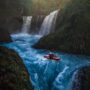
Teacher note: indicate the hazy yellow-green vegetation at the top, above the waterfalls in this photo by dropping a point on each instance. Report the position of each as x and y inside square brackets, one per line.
[43, 7]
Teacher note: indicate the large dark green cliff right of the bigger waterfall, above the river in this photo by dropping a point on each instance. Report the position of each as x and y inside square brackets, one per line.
[72, 29]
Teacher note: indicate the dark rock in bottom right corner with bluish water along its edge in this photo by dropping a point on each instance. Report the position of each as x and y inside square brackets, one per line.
[82, 79]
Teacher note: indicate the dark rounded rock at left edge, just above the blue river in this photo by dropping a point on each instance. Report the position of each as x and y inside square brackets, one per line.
[4, 36]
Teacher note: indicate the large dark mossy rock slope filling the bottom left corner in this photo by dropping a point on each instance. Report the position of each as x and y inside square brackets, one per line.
[13, 74]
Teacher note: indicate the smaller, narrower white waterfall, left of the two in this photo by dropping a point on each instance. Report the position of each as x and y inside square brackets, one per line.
[26, 23]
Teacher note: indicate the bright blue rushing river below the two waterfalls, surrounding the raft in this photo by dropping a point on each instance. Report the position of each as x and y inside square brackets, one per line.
[47, 74]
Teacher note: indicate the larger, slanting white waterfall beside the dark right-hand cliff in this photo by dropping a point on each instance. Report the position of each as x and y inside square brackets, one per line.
[48, 24]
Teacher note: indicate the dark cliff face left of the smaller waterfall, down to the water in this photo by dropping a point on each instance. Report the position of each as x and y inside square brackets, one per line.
[10, 10]
